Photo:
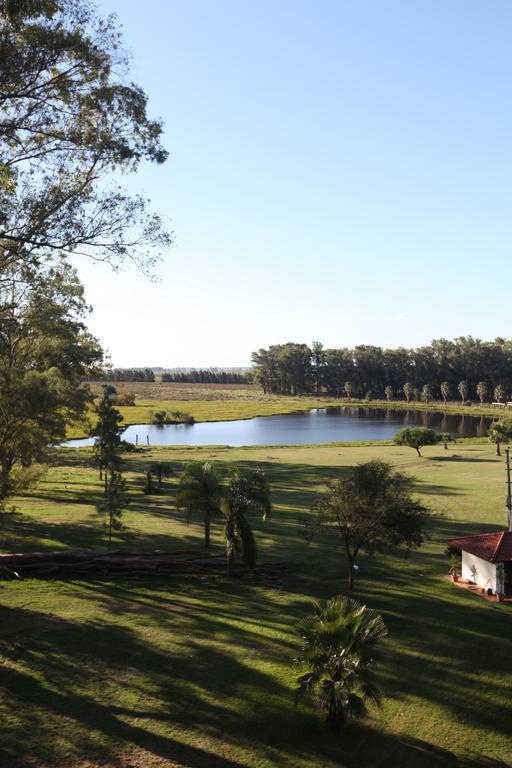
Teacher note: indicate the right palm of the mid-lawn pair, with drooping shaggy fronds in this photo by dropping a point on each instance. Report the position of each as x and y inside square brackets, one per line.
[246, 491]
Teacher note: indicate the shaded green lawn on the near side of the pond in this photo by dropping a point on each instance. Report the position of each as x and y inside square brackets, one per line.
[197, 671]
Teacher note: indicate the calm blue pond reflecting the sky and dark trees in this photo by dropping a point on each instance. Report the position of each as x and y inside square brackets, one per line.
[326, 425]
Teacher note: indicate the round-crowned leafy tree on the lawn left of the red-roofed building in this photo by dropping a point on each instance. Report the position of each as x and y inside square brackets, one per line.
[372, 509]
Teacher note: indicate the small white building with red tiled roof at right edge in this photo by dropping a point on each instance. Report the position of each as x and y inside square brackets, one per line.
[487, 560]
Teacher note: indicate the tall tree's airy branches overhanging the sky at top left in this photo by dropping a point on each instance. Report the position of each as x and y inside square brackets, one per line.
[69, 117]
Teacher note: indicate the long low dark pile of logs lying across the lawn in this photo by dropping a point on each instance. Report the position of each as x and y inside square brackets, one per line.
[120, 563]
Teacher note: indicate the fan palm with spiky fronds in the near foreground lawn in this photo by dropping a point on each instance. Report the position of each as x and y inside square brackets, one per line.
[338, 642]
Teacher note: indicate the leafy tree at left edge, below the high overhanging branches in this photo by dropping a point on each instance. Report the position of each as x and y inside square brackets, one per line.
[45, 355]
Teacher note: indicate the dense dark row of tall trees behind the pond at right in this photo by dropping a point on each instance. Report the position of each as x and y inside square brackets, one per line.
[438, 370]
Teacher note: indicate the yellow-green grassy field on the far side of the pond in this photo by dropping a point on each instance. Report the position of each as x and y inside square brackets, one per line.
[225, 402]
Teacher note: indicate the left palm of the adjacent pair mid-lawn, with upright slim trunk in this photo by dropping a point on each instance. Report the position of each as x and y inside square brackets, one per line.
[200, 492]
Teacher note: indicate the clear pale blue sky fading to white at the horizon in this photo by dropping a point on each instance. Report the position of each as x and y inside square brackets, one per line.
[338, 171]
